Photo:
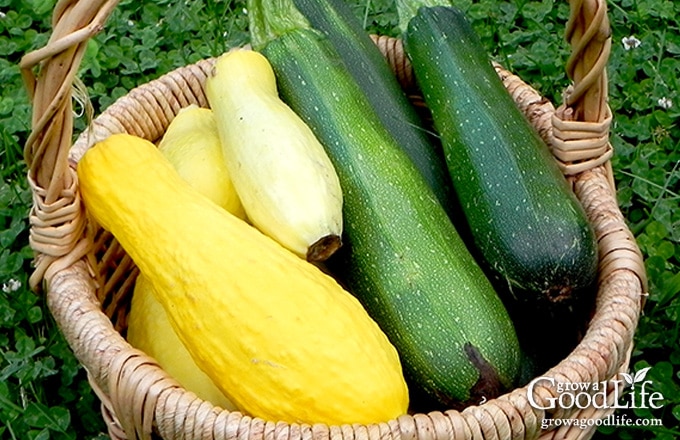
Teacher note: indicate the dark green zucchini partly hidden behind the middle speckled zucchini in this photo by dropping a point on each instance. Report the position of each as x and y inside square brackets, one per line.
[370, 69]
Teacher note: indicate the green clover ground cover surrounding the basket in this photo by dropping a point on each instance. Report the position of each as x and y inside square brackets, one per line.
[44, 393]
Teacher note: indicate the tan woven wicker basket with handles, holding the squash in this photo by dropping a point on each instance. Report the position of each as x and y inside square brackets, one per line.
[88, 278]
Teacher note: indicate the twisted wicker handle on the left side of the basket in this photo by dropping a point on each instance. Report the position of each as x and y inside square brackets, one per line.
[55, 220]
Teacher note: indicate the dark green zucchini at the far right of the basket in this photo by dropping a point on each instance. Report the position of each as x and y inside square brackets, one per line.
[528, 226]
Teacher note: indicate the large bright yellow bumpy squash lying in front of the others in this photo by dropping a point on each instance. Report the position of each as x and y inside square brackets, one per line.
[279, 337]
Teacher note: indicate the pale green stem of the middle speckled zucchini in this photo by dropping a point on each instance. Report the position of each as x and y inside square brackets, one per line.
[270, 19]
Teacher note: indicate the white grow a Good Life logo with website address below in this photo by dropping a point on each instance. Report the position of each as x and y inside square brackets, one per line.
[604, 395]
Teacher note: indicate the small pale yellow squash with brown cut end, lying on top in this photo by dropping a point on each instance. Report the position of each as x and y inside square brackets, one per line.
[285, 179]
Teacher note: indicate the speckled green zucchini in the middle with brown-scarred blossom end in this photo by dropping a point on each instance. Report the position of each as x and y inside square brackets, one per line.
[402, 256]
